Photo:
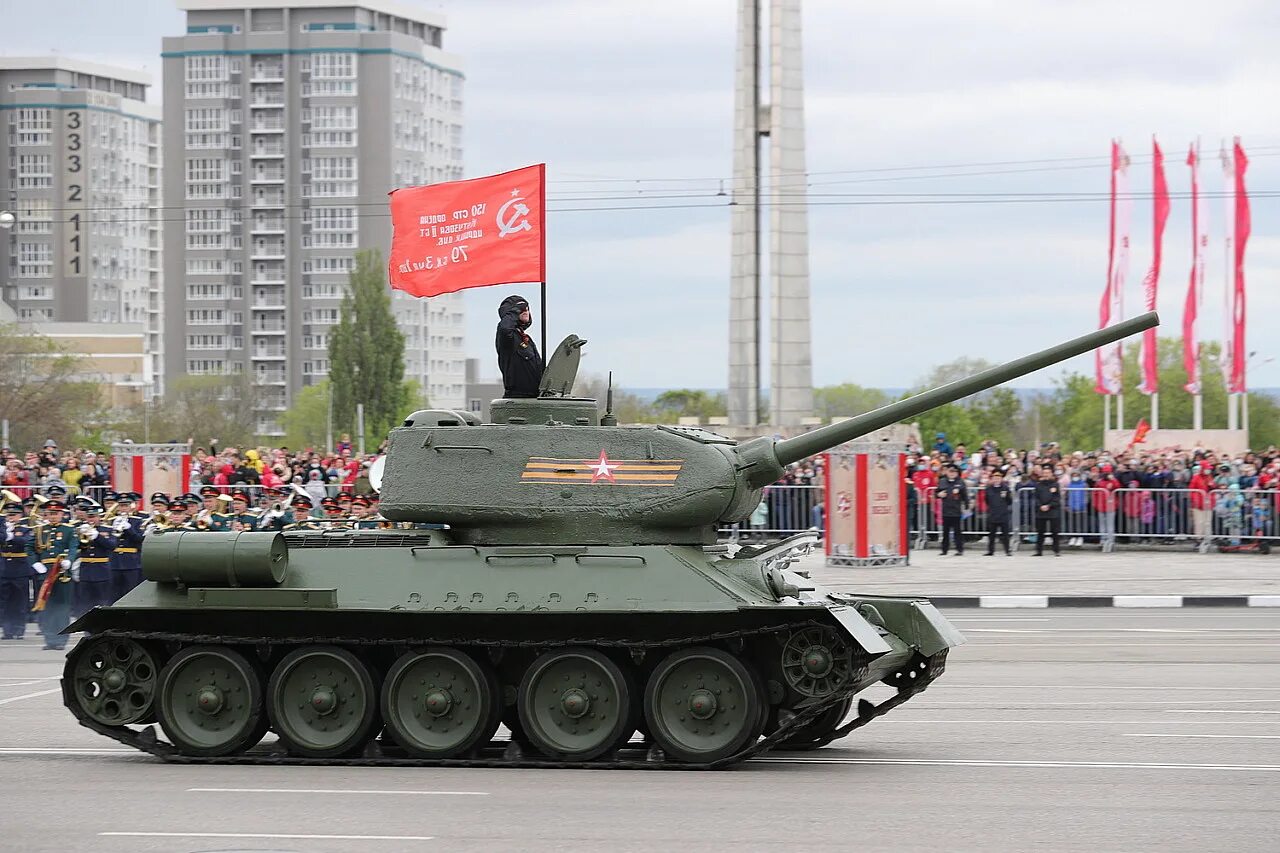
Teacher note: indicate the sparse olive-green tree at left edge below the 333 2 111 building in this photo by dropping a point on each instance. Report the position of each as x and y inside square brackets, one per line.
[44, 391]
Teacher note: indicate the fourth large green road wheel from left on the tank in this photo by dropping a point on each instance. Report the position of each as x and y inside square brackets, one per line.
[575, 704]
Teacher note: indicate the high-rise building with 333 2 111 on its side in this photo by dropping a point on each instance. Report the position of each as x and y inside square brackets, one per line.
[80, 170]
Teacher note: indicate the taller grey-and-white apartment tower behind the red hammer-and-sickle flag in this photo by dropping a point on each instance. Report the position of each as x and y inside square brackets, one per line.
[286, 126]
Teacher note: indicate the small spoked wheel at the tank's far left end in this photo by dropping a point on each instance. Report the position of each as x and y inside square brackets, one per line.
[113, 681]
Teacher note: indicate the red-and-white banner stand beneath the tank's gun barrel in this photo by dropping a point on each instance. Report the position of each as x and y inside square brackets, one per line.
[866, 513]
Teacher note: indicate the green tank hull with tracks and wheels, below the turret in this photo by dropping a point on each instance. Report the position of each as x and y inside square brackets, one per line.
[509, 627]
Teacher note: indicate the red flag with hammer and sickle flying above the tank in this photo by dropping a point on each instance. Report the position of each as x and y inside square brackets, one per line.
[470, 234]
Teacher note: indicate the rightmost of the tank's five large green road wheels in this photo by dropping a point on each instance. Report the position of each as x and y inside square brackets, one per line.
[705, 705]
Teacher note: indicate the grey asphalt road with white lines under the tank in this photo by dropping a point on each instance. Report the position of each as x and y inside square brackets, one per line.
[1055, 731]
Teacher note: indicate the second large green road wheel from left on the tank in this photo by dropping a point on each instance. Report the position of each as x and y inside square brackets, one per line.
[322, 703]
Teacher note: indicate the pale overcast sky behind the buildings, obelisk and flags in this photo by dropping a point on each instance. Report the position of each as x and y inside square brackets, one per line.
[630, 104]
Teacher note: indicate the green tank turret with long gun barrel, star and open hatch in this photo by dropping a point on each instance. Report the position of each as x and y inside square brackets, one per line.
[547, 472]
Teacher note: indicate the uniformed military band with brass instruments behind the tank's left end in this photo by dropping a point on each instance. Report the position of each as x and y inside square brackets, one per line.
[54, 568]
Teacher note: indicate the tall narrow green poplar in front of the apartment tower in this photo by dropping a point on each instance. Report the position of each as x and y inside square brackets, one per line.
[367, 353]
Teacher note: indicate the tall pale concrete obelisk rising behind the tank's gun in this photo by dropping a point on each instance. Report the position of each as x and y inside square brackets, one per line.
[783, 121]
